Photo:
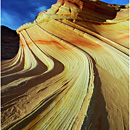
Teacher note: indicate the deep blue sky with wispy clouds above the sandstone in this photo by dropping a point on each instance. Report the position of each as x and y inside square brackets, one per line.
[15, 13]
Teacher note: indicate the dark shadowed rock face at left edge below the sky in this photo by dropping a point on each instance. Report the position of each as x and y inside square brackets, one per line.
[9, 43]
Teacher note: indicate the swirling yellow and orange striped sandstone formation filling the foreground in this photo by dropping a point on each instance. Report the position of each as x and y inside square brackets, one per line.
[71, 71]
